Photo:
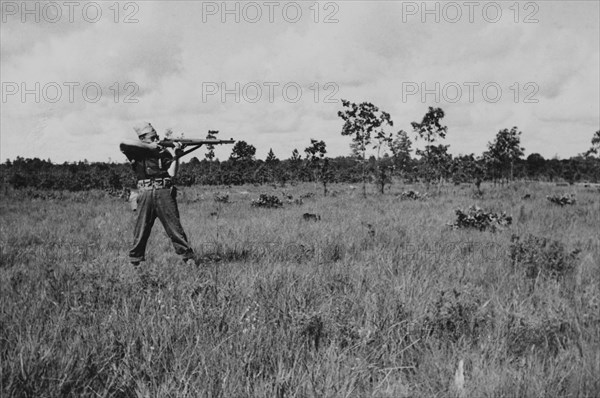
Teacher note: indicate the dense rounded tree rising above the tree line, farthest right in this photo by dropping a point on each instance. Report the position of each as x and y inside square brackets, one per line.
[504, 151]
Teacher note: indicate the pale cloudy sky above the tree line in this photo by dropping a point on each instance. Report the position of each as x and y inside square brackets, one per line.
[77, 76]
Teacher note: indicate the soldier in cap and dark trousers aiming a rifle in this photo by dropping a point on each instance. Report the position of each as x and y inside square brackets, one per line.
[153, 167]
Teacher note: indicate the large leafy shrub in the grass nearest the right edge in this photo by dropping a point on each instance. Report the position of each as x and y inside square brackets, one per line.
[542, 256]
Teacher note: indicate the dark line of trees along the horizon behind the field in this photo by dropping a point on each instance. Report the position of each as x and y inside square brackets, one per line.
[368, 127]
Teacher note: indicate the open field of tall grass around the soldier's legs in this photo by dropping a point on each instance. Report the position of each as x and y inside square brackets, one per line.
[378, 298]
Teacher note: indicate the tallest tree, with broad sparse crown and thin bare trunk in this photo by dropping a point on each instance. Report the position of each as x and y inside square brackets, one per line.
[360, 122]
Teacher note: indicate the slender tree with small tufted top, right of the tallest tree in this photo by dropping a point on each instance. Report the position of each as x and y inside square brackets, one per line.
[435, 159]
